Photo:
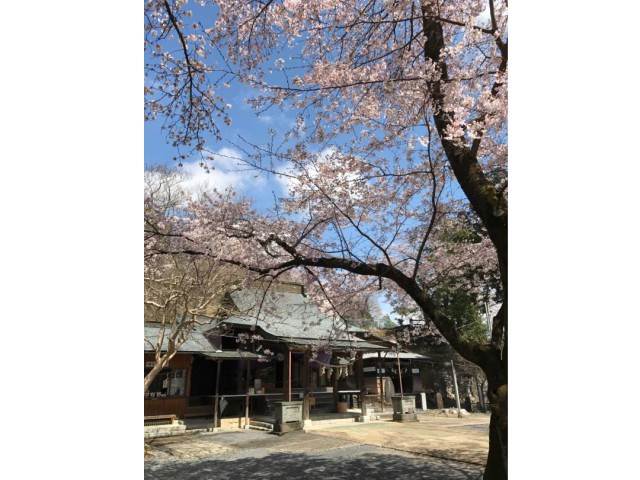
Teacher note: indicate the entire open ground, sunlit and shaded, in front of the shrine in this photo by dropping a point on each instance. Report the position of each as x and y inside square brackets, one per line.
[433, 448]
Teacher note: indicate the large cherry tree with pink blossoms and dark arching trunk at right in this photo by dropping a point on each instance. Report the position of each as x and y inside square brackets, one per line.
[400, 138]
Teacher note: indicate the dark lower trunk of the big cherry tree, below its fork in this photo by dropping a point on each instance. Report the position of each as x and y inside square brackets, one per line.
[496, 468]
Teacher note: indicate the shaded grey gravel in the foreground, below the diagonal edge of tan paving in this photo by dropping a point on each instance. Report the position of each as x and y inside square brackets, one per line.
[297, 455]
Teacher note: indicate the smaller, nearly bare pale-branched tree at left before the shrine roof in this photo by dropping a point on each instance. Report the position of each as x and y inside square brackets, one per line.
[181, 291]
